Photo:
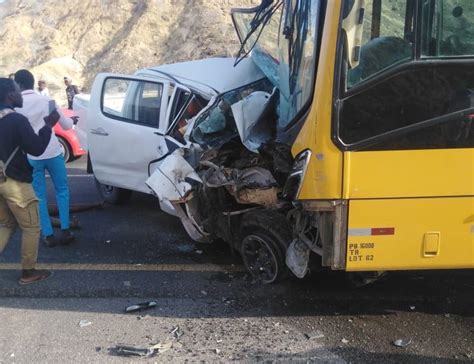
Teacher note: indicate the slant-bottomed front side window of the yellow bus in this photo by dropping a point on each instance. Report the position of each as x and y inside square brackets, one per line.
[387, 39]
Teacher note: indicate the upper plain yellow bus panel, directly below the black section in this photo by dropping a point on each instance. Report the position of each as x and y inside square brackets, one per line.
[410, 173]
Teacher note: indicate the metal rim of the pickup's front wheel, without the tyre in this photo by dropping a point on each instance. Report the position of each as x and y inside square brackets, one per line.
[260, 259]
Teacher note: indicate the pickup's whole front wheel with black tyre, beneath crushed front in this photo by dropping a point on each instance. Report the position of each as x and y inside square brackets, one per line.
[264, 238]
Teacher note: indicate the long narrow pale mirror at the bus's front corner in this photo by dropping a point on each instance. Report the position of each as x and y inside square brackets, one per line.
[353, 26]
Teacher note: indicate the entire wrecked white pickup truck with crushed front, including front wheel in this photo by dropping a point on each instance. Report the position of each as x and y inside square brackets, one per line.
[200, 136]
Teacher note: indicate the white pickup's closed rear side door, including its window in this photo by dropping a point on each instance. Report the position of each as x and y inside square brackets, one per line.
[127, 123]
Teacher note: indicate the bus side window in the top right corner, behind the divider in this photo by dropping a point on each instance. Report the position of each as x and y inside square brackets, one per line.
[449, 30]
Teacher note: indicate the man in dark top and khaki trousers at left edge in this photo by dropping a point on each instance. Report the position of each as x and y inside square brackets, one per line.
[18, 203]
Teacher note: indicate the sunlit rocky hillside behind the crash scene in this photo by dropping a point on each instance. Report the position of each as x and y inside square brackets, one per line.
[57, 38]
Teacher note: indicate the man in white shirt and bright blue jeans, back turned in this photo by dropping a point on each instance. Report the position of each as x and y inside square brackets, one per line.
[35, 108]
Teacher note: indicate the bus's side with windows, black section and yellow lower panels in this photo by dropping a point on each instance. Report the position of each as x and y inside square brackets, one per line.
[405, 123]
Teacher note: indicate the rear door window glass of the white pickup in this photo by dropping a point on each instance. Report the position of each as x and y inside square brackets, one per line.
[137, 102]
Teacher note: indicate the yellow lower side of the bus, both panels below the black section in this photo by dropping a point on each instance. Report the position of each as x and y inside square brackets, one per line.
[426, 196]
